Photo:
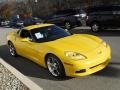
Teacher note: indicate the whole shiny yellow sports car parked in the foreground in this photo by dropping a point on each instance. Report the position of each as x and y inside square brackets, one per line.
[60, 52]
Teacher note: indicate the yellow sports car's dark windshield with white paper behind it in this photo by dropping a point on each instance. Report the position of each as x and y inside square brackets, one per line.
[49, 33]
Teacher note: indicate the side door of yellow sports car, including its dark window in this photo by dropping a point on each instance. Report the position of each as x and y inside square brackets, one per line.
[26, 48]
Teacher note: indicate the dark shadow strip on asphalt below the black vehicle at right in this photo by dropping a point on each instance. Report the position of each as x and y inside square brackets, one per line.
[100, 33]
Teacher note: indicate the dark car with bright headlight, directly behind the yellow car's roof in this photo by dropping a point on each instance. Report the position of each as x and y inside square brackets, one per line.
[67, 18]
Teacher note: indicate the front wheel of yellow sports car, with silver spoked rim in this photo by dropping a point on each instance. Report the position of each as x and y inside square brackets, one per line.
[55, 67]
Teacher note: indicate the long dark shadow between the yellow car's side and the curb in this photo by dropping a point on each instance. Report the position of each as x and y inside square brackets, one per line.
[26, 66]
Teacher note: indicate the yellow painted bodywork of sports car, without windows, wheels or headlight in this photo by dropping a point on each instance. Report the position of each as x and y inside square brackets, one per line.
[92, 47]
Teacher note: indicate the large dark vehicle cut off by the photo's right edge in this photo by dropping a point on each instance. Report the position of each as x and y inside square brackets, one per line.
[103, 17]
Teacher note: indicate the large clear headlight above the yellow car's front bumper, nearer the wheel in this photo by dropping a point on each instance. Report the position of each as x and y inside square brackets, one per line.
[75, 55]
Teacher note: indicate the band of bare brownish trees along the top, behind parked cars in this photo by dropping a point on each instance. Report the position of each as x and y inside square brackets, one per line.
[42, 8]
